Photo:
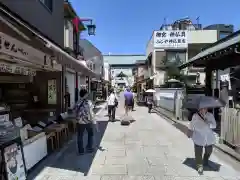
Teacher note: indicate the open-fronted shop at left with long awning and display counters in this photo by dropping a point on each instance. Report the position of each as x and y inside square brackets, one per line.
[32, 90]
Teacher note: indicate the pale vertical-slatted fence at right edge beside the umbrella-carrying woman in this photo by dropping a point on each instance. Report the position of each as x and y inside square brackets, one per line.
[230, 126]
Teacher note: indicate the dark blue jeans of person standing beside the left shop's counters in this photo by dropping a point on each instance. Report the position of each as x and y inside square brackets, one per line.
[80, 133]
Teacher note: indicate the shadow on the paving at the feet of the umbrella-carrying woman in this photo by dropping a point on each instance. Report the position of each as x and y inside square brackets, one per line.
[213, 166]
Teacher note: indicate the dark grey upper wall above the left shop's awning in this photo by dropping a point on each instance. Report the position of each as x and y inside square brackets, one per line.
[45, 15]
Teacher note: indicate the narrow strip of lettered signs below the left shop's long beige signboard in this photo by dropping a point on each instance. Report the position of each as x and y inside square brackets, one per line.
[9, 68]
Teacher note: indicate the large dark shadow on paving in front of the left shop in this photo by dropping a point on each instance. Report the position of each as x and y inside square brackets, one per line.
[69, 159]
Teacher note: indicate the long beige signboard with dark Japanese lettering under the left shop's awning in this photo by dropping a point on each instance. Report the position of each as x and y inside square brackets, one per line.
[12, 47]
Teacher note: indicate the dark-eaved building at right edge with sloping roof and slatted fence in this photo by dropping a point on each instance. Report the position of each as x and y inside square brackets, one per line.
[220, 61]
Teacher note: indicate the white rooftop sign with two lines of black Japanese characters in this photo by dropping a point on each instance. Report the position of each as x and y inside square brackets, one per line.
[171, 39]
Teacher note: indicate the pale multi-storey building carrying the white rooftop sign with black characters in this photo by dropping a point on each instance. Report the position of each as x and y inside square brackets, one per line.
[177, 43]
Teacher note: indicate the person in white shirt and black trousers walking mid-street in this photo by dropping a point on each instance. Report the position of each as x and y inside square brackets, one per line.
[112, 104]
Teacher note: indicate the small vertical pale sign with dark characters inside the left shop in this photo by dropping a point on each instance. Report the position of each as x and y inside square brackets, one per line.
[52, 91]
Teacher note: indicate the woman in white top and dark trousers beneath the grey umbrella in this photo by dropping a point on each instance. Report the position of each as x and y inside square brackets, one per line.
[201, 132]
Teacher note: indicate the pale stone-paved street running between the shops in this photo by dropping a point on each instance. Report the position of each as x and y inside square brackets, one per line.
[150, 149]
